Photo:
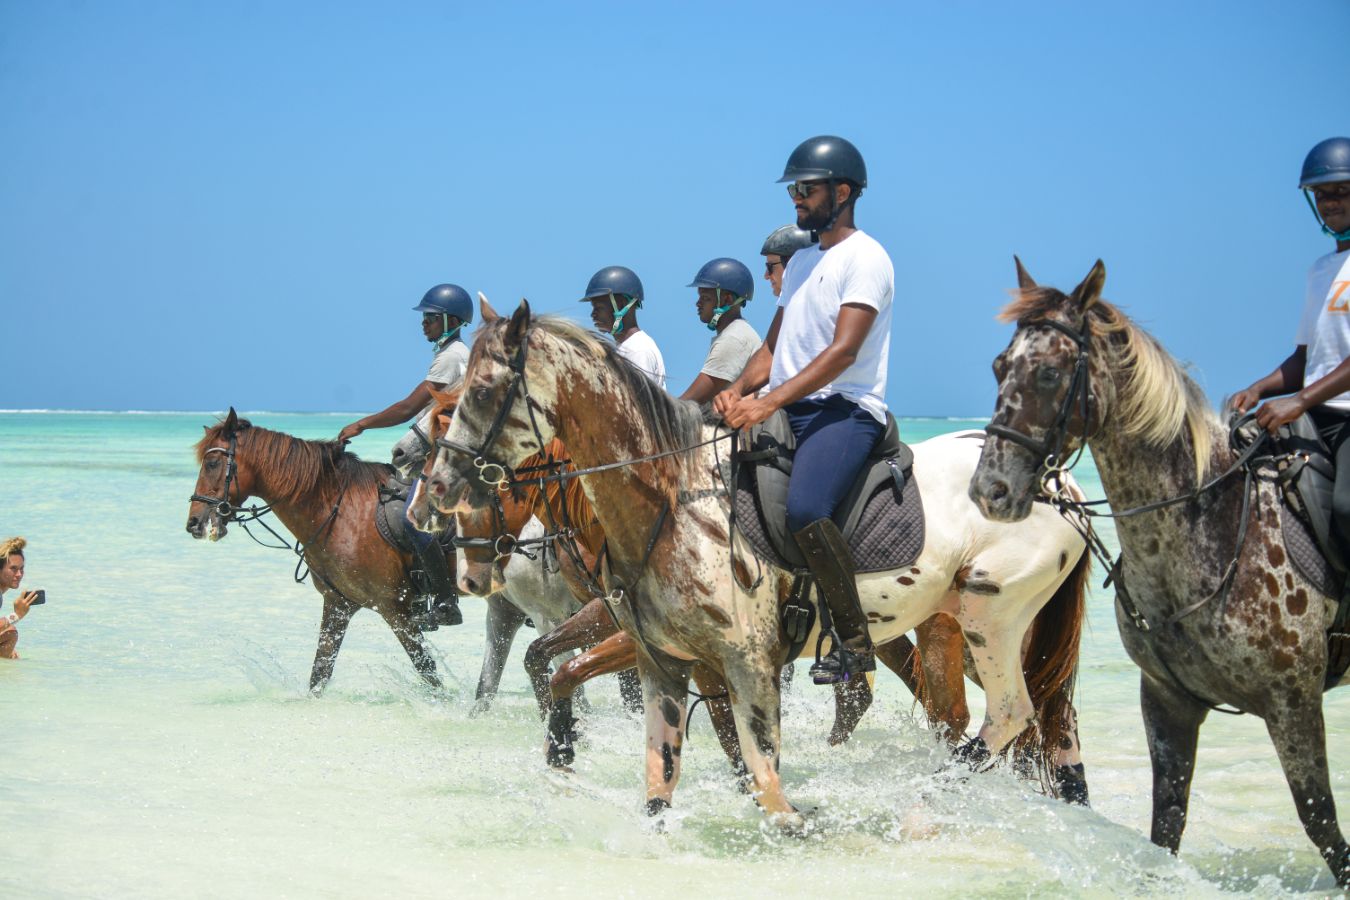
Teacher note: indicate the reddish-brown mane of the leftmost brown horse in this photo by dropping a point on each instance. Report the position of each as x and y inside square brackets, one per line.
[298, 468]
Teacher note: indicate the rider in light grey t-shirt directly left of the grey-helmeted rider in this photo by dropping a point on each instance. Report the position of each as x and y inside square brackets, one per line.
[724, 287]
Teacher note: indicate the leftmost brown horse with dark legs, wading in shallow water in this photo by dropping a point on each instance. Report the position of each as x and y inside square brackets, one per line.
[327, 499]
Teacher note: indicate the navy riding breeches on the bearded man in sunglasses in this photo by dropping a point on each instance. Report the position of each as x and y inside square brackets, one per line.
[834, 439]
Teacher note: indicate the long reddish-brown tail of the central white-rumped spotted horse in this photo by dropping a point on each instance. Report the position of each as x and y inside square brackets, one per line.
[1051, 667]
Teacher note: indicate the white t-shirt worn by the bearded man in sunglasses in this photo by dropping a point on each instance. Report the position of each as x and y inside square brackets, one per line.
[816, 284]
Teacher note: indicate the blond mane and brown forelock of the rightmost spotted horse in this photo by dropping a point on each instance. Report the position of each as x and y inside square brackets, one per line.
[1158, 399]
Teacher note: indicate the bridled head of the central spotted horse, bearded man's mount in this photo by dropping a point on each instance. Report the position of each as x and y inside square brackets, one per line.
[506, 414]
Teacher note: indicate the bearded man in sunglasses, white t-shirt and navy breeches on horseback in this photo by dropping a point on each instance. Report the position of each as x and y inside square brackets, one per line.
[824, 362]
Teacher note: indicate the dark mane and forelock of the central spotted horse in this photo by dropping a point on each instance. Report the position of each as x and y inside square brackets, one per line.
[672, 423]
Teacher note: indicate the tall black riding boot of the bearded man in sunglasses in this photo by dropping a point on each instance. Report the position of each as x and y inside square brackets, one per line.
[832, 566]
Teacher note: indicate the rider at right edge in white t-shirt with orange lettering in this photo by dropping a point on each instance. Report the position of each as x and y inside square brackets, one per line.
[1320, 368]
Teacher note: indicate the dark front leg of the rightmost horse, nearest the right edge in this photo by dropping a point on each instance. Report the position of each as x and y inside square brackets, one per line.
[1301, 739]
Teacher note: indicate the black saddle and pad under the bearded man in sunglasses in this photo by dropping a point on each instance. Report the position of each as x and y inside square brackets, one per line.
[881, 517]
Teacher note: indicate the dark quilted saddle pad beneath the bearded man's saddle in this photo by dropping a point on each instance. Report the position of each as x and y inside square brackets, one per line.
[889, 535]
